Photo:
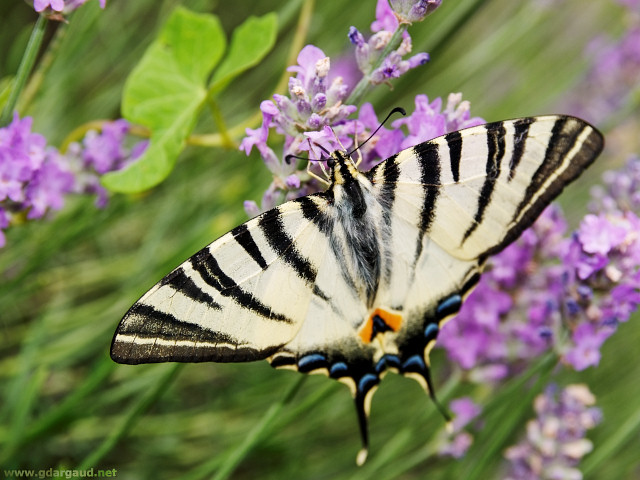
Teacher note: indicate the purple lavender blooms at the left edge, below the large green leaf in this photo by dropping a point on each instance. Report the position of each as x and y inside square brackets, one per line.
[35, 178]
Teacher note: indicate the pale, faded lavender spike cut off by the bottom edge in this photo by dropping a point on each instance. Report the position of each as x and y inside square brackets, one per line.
[555, 440]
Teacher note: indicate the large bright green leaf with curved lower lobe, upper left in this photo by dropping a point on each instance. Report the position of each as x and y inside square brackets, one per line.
[165, 93]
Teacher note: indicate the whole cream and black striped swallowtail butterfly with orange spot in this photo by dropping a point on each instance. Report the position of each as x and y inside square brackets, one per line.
[359, 279]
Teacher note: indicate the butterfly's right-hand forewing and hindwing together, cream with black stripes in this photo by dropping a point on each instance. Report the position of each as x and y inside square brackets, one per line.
[460, 198]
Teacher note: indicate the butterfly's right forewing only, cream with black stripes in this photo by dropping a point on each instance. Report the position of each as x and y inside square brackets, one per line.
[479, 188]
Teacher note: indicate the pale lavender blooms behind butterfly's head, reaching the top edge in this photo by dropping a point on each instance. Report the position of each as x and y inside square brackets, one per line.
[314, 116]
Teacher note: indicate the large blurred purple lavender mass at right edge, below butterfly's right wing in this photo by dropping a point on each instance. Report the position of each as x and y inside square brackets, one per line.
[528, 303]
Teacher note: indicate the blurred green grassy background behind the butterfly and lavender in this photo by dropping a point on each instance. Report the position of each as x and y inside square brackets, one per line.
[66, 282]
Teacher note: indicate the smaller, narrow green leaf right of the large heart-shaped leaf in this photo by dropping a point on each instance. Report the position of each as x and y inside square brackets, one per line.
[250, 42]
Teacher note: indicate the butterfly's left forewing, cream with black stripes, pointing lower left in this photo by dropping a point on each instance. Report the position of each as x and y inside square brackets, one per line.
[239, 299]
